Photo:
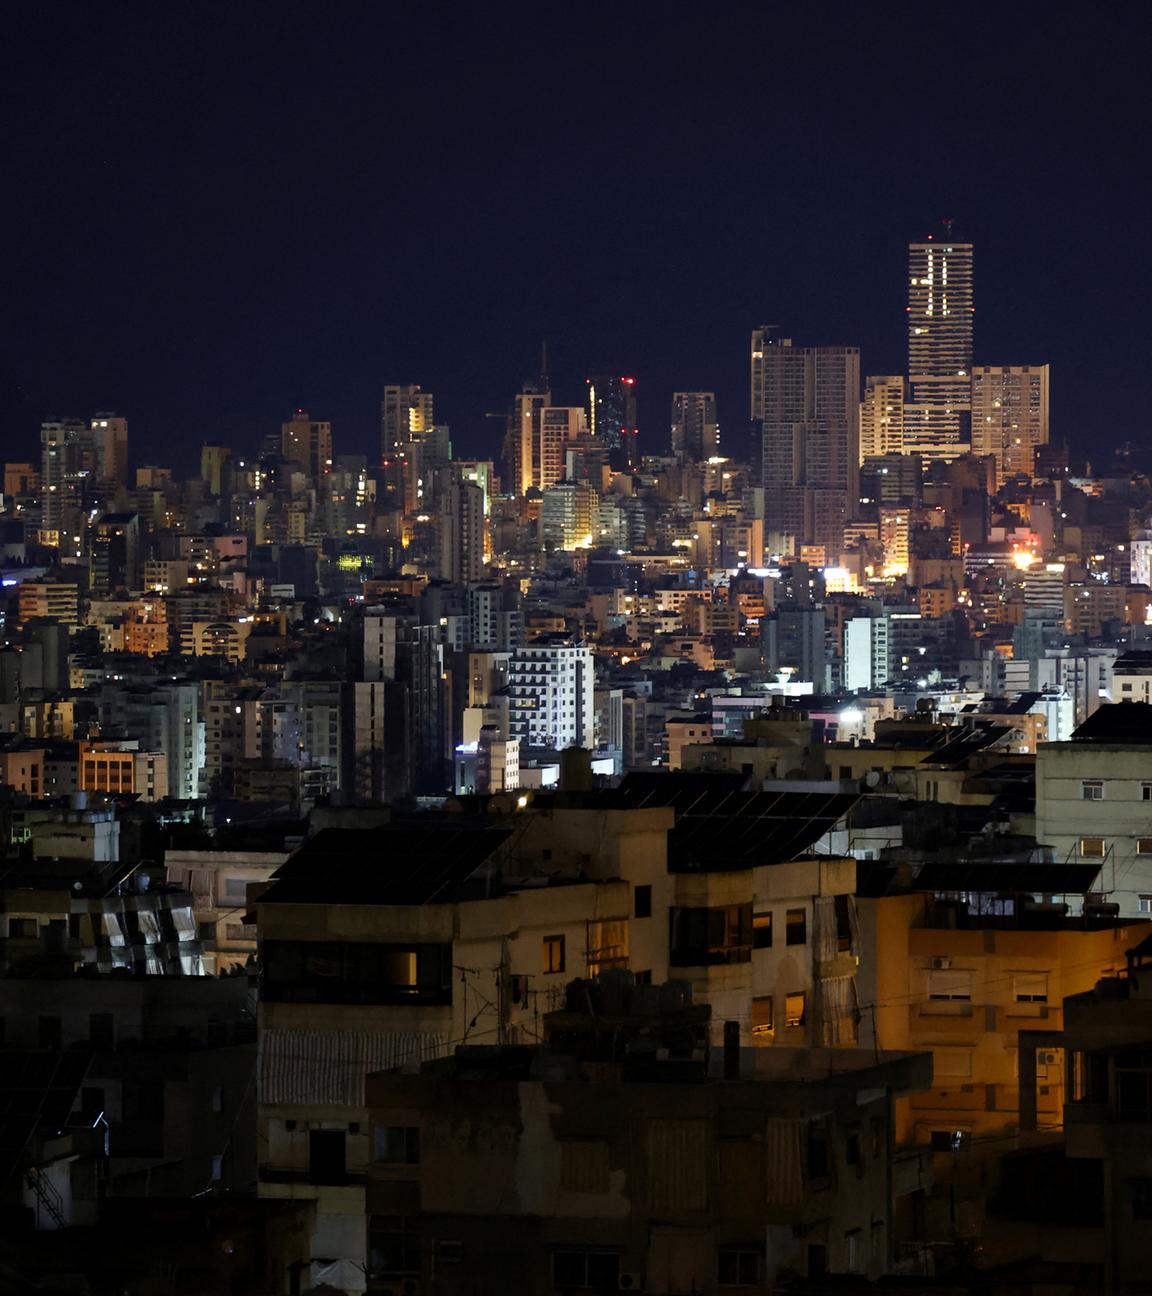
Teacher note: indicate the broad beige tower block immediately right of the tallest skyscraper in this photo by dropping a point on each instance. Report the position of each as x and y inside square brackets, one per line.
[1010, 415]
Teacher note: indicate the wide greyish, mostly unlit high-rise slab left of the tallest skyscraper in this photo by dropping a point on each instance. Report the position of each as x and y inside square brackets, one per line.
[807, 406]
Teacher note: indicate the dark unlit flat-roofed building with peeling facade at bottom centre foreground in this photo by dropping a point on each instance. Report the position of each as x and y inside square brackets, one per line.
[643, 1167]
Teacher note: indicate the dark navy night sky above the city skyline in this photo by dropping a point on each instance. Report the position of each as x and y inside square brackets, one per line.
[216, 212]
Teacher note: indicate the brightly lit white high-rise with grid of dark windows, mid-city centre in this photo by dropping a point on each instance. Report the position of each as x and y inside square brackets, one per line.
[551, 686]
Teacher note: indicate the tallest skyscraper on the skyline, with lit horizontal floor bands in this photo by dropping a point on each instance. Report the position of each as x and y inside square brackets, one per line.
[939, 411]
